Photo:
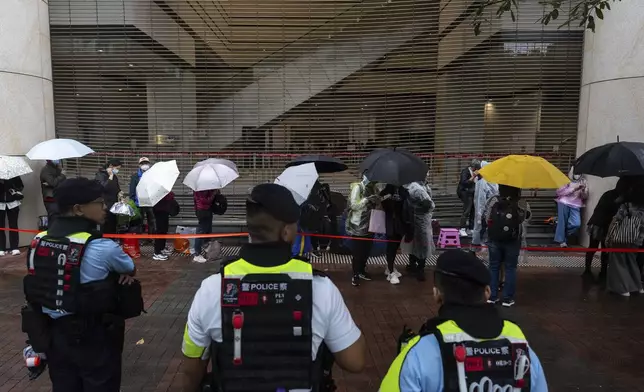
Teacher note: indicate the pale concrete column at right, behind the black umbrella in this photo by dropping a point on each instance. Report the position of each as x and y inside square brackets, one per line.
[612, 91]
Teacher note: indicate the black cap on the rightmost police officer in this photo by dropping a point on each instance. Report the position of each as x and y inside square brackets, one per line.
[463, 265]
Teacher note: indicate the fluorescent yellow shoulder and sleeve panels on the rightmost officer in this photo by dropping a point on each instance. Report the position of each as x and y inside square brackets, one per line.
[451, 334]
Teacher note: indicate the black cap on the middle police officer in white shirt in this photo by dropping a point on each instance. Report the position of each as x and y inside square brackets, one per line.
[276, 200]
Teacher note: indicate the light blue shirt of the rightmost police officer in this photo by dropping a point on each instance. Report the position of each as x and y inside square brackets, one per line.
[422, 370]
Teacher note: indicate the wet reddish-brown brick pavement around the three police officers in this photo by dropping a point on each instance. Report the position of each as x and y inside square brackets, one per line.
[586, 340]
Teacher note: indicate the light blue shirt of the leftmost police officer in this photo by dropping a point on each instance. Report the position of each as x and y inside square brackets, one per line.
[101, 257]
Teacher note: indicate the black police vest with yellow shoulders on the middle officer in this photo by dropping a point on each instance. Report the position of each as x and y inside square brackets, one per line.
[266, 327]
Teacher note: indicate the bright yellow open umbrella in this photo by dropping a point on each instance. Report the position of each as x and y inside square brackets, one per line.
[524, 171]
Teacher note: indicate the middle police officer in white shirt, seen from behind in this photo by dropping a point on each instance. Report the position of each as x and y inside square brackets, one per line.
[268, 314]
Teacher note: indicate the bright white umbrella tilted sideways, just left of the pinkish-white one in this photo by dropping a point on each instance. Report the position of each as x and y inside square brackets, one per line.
[156, 183]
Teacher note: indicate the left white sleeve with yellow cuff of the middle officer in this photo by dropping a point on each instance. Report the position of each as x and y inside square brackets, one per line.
[204, 319]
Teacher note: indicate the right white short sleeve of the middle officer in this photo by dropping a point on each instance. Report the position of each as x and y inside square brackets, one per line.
[340, 330]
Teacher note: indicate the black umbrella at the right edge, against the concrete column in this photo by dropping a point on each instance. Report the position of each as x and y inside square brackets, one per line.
[612, 160]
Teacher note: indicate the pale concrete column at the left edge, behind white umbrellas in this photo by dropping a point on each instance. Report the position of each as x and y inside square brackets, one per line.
[26, 93]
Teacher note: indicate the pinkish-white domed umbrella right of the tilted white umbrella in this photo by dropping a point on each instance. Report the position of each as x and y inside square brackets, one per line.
[211, 175]
